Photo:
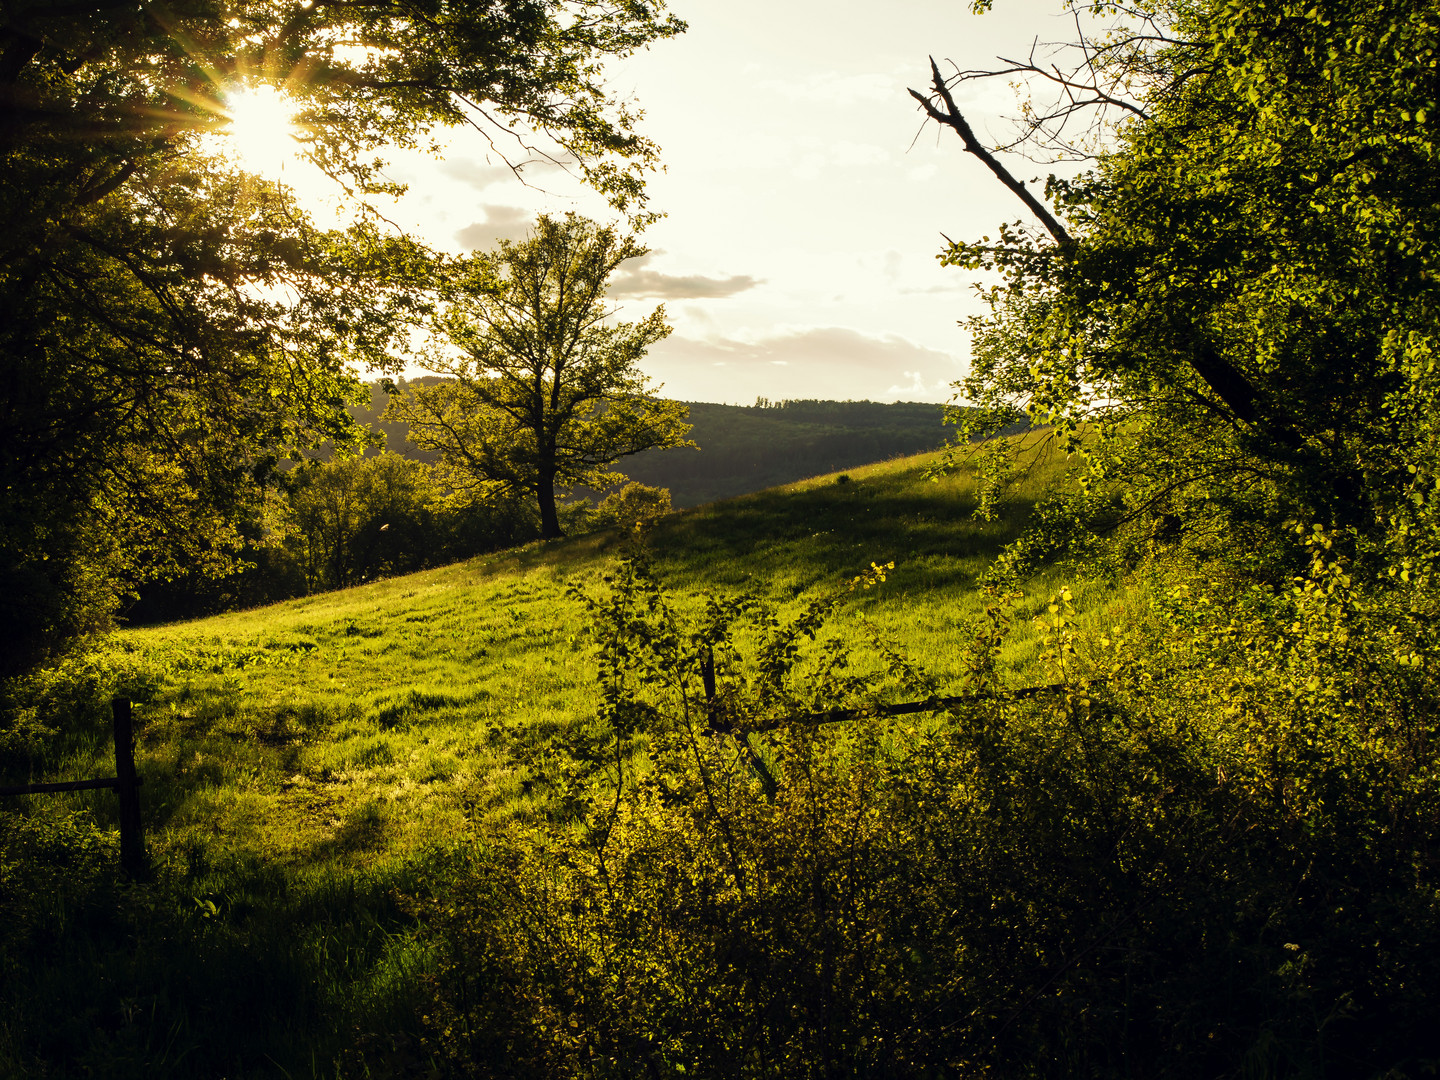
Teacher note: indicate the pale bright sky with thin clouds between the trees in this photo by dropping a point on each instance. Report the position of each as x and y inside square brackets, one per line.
[804, 198]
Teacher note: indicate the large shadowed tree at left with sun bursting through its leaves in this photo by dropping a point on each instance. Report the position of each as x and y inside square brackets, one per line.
[171, 328]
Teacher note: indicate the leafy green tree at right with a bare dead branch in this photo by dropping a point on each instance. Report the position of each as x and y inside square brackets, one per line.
[1246, 282]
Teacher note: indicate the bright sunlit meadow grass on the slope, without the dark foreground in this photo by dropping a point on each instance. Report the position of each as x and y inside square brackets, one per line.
[276, 726]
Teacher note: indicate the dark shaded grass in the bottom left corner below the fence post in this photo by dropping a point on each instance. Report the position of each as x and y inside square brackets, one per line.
[227, 966]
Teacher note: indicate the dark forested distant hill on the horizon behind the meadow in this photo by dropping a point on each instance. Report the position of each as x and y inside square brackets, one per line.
[750, 449]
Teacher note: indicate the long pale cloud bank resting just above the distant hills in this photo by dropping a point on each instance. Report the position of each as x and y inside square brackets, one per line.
[803, 362]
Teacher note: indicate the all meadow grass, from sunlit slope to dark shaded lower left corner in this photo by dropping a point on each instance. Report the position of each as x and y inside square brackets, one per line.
[310, 768]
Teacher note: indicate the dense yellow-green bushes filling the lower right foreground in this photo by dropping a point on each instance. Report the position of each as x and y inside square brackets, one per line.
[1203, 859]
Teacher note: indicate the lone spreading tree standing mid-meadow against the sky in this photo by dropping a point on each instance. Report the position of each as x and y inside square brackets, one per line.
[545, 391]
